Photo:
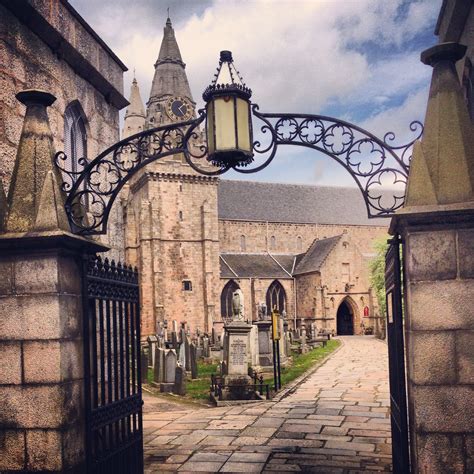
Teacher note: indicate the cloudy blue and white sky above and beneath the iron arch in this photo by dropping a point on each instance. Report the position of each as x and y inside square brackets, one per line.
[353, 59]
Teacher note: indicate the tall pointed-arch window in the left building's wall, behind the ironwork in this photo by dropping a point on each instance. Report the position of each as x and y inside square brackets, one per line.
[75, 136]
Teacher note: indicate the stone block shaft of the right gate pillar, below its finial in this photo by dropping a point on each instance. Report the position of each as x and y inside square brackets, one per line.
[440, 335]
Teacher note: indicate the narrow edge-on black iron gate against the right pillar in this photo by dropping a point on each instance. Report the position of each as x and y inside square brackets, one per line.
[396, 358]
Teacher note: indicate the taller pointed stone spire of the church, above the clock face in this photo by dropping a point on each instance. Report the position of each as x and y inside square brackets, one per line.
[170, 77]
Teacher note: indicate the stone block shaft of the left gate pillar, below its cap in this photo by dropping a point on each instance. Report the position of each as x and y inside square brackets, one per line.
[41, 374]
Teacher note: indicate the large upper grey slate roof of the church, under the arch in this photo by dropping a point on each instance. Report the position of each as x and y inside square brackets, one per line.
[294, 203]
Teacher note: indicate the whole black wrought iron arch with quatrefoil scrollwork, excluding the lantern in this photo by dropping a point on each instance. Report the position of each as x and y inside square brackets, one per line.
[372, 162]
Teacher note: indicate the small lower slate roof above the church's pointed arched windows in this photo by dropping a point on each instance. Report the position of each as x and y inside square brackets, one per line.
[247, 265]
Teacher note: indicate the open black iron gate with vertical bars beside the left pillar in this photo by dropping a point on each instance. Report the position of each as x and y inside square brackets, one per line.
[113, 395]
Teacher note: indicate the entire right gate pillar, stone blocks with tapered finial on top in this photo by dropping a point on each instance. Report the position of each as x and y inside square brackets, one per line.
[437, 230]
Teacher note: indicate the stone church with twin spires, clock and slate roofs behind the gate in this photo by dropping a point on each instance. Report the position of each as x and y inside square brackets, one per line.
[196, 239]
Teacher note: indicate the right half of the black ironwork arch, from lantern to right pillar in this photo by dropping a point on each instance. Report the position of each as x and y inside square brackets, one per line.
[379, 167]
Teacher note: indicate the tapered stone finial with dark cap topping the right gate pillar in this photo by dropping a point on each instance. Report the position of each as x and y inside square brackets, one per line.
[442, 167]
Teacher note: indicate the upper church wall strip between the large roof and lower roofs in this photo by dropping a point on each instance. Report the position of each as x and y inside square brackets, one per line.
[258, 235]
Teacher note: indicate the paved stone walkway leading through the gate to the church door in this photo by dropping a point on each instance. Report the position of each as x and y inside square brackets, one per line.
[335, 421]
